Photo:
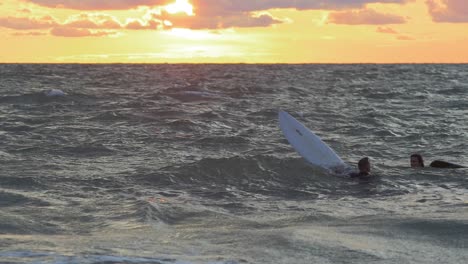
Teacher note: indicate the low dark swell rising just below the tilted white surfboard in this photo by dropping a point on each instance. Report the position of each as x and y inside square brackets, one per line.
[266, 175]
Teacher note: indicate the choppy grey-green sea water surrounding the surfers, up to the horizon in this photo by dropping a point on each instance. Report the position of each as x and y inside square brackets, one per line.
[186, 164]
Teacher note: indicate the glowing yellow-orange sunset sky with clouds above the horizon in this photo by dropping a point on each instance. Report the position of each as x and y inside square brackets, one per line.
[233, 31]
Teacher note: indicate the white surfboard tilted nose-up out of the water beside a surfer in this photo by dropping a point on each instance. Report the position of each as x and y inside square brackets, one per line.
[307, 144]
